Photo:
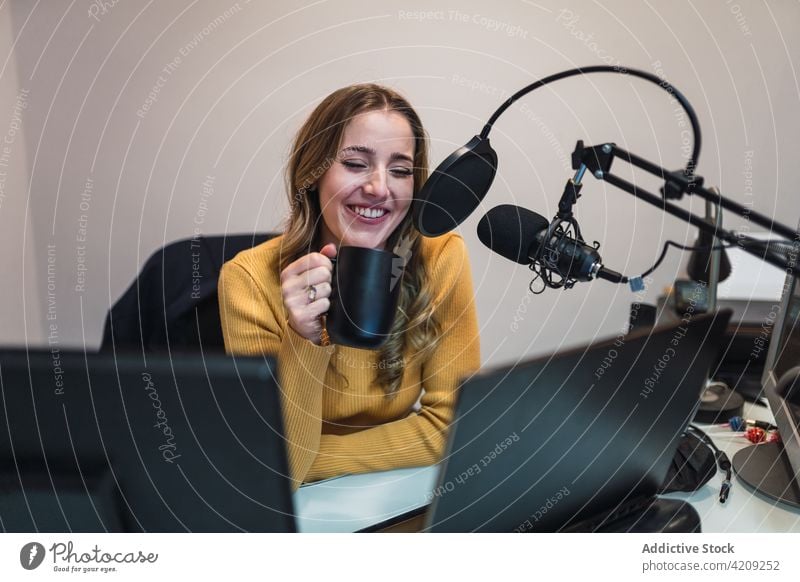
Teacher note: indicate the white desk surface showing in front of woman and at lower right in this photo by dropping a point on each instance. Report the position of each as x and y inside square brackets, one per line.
[355, 502]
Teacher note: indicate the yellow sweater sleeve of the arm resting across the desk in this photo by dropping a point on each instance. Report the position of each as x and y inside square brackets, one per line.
[420, 438]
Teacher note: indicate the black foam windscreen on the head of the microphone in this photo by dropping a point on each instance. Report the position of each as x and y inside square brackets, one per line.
[511, 231]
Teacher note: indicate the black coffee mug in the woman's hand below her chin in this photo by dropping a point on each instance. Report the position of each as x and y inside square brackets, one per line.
[365, 291]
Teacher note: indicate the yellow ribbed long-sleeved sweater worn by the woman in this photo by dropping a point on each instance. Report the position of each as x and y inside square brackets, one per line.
[334, 428]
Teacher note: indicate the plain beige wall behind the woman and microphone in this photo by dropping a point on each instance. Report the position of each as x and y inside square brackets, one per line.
[232, 81]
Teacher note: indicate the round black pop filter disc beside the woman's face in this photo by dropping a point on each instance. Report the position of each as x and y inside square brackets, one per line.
[455, 189]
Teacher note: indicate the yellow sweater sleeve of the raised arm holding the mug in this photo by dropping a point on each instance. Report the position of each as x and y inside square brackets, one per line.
[251, 326]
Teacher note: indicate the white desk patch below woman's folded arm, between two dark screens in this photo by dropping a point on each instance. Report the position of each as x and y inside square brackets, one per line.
[353, 502]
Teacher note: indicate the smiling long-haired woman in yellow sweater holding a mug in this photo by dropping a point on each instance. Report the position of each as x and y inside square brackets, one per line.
[355, 166]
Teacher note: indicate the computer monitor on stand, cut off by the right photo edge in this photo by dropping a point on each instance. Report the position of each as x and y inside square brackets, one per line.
[774, 468]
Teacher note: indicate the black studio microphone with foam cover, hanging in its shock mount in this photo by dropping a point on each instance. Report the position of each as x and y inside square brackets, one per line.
[525, 237]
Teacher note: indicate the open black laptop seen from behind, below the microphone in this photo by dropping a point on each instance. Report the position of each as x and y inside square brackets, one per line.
[573, 440]
